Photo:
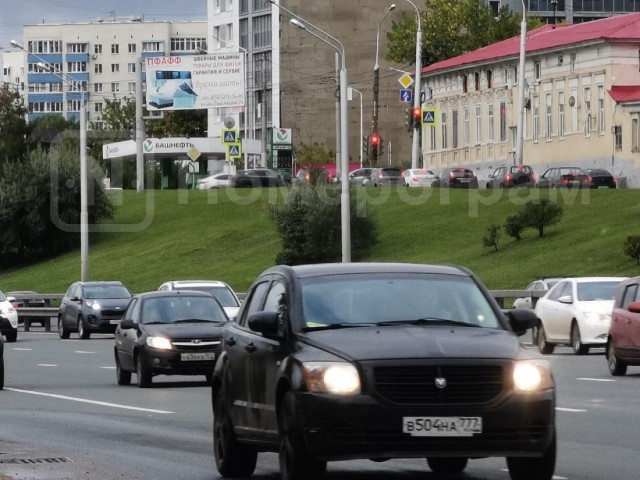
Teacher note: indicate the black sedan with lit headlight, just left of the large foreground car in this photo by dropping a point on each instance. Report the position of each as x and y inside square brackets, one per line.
[168, 333]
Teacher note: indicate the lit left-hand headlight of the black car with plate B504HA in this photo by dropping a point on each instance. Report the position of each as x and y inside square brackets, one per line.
[339, 378]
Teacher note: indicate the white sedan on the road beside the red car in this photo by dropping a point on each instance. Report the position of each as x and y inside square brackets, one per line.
[576, 312]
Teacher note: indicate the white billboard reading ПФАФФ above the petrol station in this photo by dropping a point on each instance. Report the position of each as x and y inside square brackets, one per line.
[195, 81]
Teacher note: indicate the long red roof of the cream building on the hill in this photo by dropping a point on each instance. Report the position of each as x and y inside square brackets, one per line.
[617, 28]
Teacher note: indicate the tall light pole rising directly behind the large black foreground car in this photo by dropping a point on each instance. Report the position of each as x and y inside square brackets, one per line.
[345, 206]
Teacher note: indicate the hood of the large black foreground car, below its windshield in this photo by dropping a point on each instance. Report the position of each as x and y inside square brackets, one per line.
[371, 343]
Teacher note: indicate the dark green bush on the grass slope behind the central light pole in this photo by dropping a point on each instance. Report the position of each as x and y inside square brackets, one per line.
[309, 223]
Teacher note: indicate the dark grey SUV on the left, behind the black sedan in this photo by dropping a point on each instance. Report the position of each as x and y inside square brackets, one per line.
[92, 307]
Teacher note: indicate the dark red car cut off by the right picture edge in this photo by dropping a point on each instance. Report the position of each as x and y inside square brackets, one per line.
[623, 343]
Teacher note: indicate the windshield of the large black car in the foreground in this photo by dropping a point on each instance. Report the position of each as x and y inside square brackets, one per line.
[380, 299]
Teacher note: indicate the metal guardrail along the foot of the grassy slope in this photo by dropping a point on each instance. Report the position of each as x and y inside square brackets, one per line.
[43, 315]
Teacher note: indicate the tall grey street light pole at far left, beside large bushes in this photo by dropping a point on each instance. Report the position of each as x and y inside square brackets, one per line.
[84, 215]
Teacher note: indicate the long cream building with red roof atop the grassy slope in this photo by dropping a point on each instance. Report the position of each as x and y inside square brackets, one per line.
[582, 101]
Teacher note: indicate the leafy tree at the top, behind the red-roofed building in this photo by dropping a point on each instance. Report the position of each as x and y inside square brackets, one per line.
[451, 28]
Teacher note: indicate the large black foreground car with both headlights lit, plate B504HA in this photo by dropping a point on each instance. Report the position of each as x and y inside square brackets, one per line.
[378, 361]
